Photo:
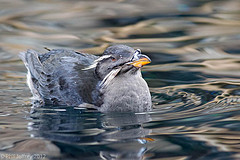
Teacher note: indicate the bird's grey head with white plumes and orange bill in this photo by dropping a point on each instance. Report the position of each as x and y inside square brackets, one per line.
[119, 59]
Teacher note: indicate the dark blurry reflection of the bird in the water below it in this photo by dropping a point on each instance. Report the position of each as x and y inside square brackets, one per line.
[78, 132]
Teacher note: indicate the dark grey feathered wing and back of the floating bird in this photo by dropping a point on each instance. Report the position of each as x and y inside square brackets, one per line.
[58, 78]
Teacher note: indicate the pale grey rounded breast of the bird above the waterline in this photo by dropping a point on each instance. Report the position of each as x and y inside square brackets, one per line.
[126, 93]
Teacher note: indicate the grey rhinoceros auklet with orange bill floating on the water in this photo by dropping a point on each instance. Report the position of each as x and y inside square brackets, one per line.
[111, 82]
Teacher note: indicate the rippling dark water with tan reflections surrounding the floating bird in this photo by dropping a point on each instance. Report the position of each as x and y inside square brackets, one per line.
[194, 79]
